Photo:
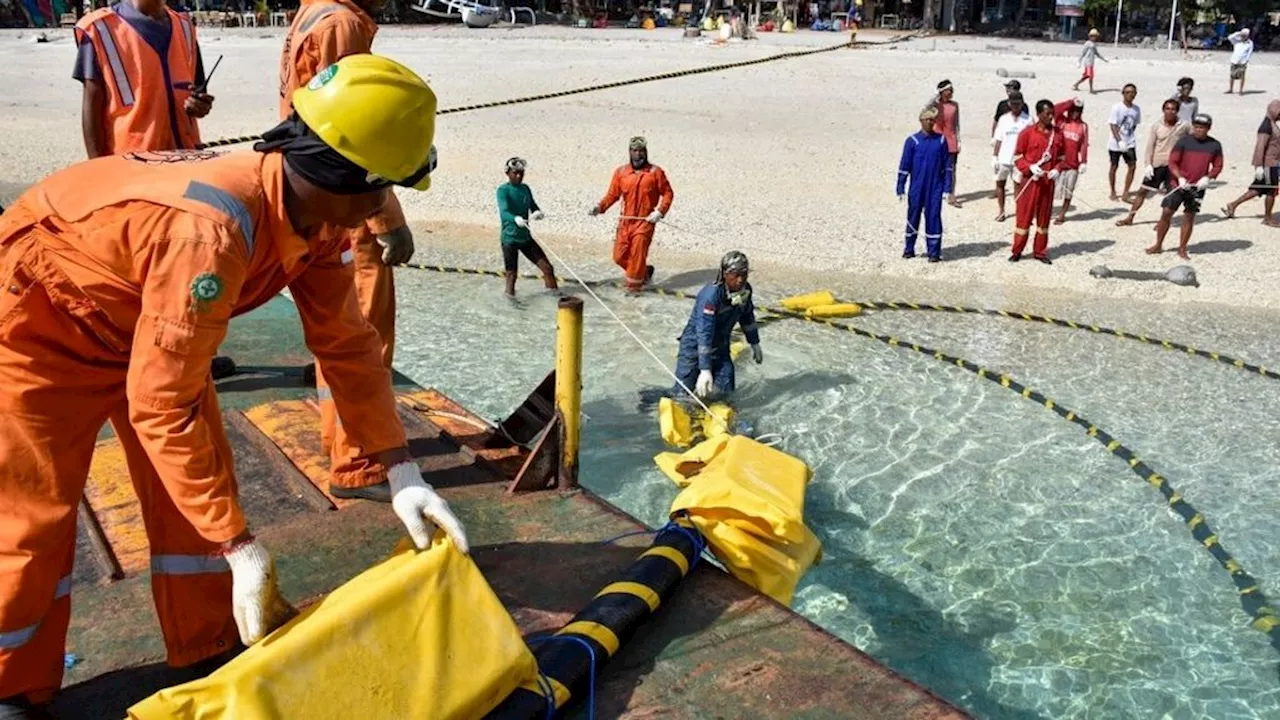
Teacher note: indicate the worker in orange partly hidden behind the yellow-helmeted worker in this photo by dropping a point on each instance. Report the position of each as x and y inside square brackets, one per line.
[323, 33]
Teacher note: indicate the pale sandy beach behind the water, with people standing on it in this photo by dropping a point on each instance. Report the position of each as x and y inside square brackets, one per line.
[793, 162]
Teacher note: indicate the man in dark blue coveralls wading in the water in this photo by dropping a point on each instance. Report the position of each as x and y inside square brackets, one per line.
[705, 362]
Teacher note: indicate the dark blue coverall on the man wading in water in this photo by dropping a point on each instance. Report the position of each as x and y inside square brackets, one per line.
[705, 345]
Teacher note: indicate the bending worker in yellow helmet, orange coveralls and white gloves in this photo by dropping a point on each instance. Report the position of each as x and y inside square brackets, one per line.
[121, 277]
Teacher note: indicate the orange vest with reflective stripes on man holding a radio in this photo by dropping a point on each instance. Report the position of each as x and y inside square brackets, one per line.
[145, 93]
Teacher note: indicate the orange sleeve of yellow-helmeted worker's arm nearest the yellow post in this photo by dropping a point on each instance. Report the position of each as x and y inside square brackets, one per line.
[350, 354]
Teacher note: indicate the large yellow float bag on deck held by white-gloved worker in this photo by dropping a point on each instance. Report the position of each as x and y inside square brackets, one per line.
[420, 635]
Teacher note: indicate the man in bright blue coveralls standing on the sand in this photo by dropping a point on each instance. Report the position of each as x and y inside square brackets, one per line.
[927, 163]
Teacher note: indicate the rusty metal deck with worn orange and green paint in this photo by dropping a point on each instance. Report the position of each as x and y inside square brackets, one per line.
[717, 650]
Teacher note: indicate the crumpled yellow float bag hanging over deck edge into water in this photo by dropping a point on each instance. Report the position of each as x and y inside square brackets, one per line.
[748, 502]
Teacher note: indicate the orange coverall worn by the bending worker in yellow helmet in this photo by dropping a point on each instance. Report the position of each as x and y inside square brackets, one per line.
[120, 277]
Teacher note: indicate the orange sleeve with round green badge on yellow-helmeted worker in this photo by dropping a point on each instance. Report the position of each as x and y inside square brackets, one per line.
[194, 279]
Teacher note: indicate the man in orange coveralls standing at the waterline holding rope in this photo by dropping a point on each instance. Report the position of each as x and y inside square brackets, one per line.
[646, 199]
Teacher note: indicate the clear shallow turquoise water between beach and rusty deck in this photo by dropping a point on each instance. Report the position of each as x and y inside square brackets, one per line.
[973, 541]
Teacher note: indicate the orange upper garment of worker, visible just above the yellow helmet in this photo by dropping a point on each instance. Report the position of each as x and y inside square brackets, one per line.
[354, 30]
